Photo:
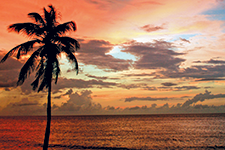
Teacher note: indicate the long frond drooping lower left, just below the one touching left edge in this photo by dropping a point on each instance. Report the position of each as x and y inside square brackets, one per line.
[28, 67]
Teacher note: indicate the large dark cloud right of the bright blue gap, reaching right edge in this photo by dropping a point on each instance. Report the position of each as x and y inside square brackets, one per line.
[159, 55]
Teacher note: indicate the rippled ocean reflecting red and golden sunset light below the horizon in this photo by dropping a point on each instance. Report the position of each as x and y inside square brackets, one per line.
[123, 132]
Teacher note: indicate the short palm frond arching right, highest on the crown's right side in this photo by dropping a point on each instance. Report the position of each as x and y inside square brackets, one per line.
[65, 27]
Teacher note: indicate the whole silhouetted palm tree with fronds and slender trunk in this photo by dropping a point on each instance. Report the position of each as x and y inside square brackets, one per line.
[48, 42]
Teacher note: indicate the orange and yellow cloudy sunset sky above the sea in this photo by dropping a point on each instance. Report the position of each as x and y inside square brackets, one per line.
[136, 56]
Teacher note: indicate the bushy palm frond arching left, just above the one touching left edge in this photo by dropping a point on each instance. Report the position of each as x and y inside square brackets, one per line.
[25, 28]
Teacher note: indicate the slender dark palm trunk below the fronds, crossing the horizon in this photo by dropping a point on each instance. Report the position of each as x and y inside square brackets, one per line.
[47, 131]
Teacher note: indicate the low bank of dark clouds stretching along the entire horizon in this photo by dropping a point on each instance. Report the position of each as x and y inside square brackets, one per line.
[81, 103]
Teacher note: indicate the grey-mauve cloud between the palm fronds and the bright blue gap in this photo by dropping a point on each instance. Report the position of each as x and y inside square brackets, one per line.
[94, 52]
